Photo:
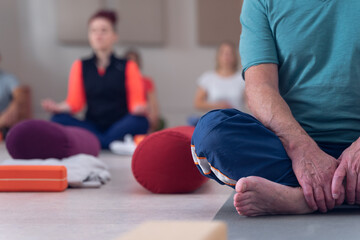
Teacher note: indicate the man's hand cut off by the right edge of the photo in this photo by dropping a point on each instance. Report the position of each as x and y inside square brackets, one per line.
[350, 168]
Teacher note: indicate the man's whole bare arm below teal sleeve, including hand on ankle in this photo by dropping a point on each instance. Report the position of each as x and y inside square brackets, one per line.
[314, 169]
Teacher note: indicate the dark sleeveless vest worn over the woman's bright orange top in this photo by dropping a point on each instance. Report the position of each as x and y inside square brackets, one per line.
[105, 95]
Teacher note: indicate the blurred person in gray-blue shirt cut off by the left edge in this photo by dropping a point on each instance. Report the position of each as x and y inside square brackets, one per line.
[14, 102]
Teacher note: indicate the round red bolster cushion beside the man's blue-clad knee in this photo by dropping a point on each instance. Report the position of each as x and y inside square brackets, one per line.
[162, 163]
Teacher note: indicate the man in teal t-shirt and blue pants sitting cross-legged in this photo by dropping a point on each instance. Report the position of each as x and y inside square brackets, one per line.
[300, 151]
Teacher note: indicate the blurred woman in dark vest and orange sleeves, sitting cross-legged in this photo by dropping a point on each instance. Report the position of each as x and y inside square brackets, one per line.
[112, 88]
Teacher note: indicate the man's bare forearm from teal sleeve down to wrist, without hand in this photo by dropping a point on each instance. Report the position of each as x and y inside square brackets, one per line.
[269, 107]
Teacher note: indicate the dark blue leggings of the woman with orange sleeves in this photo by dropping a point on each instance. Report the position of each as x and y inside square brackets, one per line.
[129, 124]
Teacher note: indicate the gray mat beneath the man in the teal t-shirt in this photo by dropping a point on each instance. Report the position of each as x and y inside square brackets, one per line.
[341, 223]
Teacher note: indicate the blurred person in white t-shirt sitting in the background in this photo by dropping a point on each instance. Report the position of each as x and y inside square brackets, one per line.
[223, 87]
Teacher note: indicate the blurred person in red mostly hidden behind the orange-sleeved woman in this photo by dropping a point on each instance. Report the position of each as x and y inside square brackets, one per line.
[155, 120]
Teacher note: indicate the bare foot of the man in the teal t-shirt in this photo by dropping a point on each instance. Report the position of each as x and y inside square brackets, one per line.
[258, 196]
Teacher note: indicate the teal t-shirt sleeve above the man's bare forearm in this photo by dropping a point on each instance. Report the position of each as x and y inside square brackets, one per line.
[257, 44]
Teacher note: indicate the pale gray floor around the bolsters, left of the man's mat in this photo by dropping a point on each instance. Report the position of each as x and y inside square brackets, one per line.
[100, 213]
